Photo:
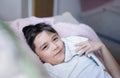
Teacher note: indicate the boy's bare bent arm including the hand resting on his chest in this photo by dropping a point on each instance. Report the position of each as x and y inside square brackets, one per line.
[108, 60]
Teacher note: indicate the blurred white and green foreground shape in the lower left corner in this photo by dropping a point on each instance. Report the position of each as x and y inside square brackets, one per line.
[15, 61]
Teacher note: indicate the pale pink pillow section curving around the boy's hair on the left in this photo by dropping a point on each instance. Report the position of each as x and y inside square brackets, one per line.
[18, 24]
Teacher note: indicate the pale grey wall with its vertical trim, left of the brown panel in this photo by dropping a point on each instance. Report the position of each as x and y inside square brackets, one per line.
[14, 9]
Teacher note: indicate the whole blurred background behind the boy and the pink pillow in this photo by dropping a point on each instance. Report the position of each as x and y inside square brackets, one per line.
[102, 15]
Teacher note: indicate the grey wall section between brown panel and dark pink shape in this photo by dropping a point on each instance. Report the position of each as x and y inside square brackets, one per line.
[73, 6]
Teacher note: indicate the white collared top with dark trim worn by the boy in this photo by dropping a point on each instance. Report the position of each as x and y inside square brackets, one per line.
[76, 66]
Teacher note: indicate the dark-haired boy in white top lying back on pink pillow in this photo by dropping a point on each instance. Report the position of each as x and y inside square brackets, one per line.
[62, 60]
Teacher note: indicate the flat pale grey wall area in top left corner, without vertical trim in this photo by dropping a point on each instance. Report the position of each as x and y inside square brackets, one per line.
[10, 9]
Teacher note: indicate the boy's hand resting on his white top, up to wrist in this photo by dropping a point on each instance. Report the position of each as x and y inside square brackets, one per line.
[88, 47]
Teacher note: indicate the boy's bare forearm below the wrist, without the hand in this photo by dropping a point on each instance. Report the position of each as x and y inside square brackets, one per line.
[110, 62]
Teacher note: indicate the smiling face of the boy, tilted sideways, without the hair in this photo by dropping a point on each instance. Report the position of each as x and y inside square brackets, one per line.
[49, 47]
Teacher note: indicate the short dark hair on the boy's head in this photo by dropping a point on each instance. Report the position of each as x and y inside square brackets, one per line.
[31, 31]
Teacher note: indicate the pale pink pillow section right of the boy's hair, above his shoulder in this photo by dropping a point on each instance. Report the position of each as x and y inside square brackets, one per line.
[68, 29]
